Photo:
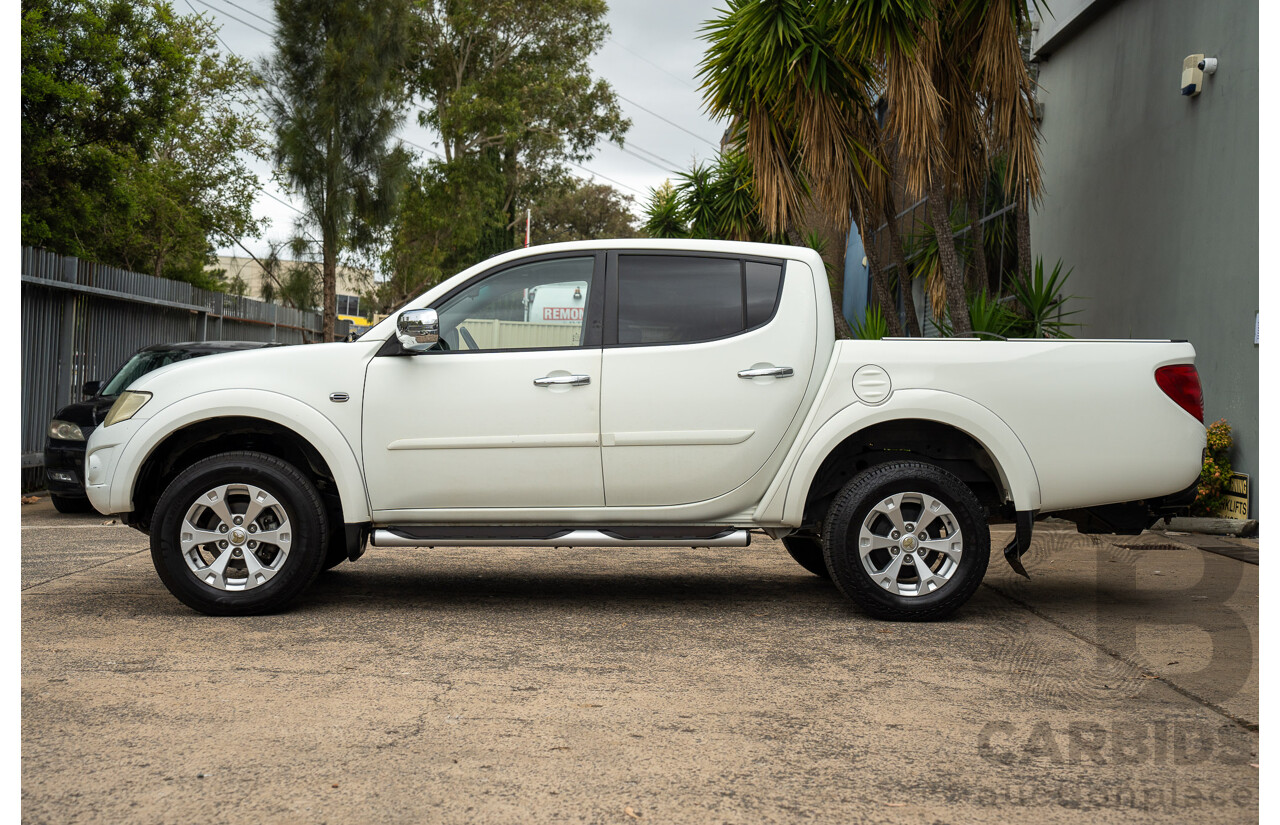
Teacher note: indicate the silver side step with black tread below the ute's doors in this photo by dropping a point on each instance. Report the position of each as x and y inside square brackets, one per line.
[433, 537]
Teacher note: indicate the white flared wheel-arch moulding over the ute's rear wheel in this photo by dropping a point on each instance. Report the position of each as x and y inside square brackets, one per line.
[1017, 473]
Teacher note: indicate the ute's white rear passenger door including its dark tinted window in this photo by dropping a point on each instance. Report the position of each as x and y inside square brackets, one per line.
[707, 359]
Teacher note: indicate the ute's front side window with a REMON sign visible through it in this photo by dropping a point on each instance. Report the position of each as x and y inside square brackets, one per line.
[532, 306]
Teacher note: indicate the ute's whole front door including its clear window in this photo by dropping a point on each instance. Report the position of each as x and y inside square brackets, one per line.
[509, 401]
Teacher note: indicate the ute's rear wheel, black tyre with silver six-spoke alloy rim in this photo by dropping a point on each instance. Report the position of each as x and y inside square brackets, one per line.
[907, 542]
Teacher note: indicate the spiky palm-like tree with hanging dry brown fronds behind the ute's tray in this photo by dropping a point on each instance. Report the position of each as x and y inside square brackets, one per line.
[804, 77]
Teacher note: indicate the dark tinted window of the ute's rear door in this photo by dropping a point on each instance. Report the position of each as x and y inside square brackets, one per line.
[679, 300]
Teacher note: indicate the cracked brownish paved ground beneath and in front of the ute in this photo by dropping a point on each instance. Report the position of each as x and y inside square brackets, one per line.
[632, 686]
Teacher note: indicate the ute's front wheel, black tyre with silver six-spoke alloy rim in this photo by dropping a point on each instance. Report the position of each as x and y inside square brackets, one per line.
[239, 534]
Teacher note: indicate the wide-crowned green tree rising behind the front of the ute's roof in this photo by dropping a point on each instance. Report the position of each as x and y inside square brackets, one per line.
[509, 85]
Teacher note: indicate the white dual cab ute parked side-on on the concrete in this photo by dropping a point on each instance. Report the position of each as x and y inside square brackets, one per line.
[643, 393]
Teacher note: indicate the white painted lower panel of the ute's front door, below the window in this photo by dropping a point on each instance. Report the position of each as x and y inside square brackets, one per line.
[472, 430]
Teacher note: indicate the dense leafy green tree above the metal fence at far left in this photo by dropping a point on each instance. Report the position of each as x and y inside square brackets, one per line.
[134, 137]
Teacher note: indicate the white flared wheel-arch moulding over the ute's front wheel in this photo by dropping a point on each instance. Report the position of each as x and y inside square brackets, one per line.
[282, 410]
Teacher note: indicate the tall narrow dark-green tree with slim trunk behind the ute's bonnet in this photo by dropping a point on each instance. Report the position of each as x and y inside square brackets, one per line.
[336, 94]
